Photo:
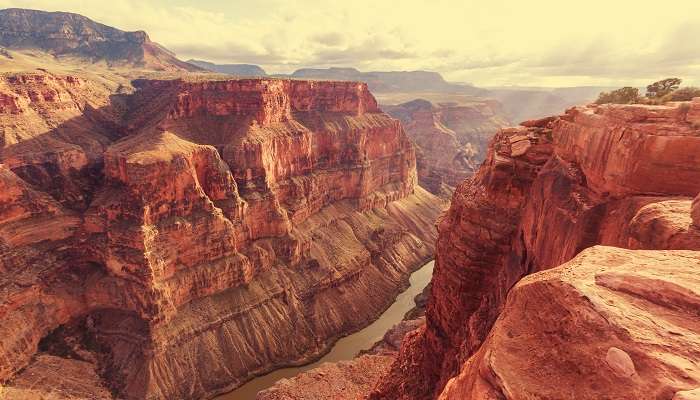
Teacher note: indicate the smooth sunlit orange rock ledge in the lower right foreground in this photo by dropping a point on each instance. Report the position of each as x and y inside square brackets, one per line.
[605, 324]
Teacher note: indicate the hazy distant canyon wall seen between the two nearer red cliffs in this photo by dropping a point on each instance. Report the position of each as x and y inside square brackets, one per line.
[451, 139]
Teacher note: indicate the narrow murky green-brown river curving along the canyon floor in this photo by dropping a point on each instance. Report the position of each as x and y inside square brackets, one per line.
[347, 347]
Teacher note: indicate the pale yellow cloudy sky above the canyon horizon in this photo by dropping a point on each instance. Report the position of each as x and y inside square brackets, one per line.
[485, 42]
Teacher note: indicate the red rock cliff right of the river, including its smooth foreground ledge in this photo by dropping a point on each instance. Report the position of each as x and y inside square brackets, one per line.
[612, 323]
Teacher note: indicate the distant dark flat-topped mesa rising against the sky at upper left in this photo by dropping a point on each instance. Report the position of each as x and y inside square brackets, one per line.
[68, 34]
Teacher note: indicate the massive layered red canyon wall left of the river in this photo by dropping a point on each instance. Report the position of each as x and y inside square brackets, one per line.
[175, 242]
